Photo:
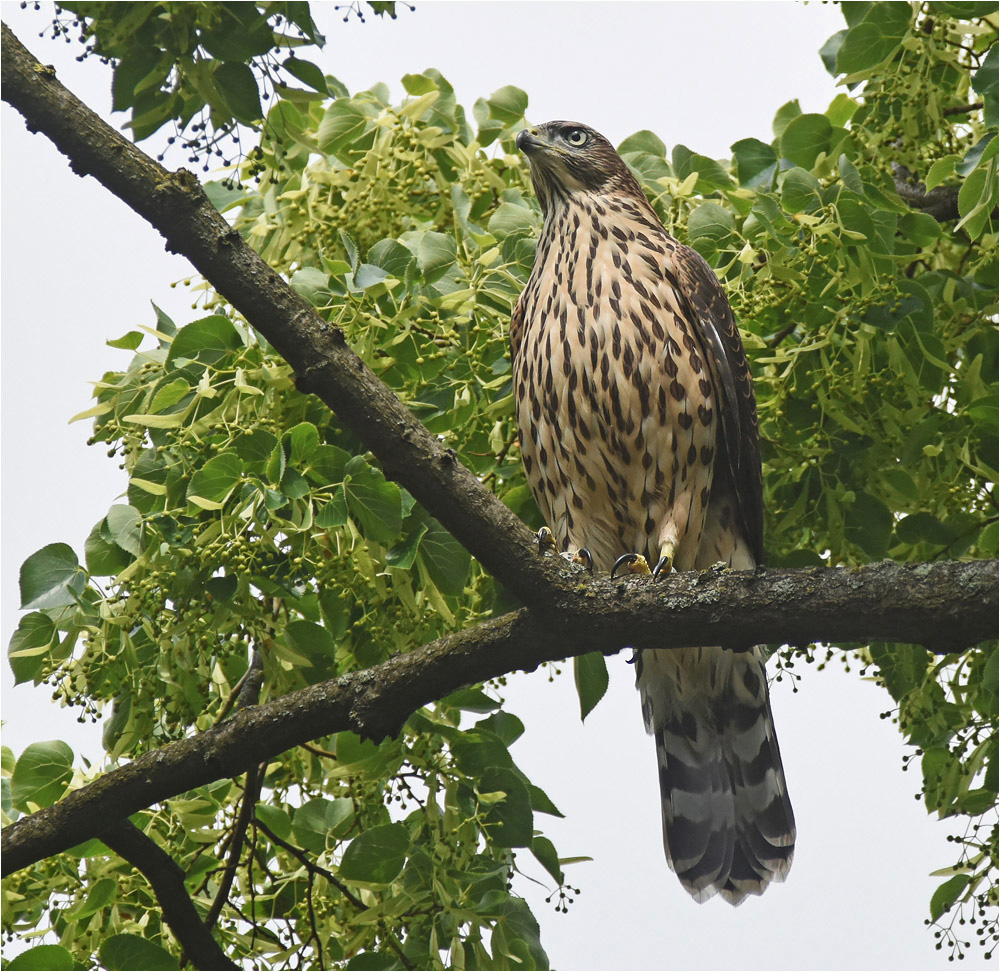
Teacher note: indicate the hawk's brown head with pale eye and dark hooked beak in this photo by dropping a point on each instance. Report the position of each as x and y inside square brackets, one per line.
[567, 157]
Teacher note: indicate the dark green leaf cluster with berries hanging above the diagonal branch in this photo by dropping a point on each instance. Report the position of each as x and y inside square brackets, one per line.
[205, 68]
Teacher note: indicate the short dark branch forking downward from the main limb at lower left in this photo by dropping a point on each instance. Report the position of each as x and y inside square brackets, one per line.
[167, 881]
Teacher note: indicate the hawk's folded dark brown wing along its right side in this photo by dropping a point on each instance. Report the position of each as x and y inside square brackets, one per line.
[709, 311]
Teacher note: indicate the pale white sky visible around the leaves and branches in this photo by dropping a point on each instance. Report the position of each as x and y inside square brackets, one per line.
[79, 268]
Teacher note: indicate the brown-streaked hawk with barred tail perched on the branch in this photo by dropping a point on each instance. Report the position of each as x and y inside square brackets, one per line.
[638, 432]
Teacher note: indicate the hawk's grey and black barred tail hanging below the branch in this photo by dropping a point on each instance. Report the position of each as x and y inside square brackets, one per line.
[728, 825]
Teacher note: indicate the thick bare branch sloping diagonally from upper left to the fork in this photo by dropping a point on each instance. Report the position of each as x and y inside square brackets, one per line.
[175, 204]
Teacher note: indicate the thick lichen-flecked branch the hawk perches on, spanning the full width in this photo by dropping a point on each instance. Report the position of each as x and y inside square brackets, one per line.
[945, 606]
